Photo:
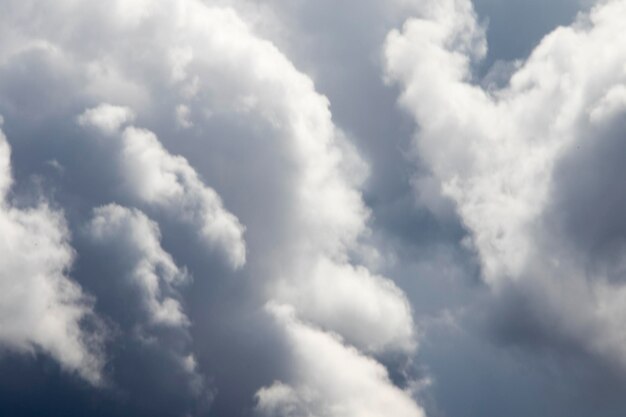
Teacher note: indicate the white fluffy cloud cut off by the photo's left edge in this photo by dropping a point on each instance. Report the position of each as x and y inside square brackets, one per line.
[41, 308]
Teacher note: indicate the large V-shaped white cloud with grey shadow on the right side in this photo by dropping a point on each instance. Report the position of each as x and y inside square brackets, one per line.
[518, 160]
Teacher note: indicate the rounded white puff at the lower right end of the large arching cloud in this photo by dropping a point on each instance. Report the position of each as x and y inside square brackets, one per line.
[368, 310]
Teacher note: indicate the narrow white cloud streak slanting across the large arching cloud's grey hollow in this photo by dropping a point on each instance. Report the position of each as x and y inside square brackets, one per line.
[154, 177]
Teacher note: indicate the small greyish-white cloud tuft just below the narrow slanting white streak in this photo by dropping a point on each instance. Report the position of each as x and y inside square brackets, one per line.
[146, 274]
